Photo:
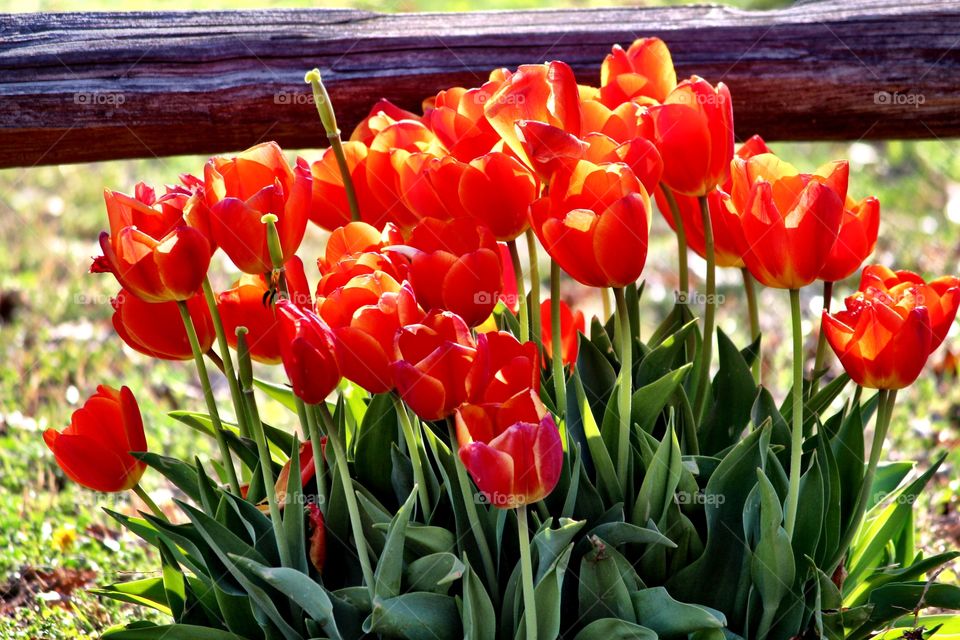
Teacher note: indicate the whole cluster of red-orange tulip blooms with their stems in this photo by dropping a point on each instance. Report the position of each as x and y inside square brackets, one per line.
[421, 291]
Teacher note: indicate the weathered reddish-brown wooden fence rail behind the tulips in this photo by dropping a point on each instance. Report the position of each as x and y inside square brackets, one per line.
[95, 86]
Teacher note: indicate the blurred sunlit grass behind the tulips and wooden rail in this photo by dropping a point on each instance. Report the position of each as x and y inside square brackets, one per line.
[57, 343]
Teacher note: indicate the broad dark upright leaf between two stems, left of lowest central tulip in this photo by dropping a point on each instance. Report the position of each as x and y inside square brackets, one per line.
[375, 436]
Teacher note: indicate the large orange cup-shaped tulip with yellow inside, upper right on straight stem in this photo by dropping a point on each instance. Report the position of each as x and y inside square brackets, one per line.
[789, 220]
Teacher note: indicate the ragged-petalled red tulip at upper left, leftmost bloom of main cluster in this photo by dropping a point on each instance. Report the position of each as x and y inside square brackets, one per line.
[150, 249]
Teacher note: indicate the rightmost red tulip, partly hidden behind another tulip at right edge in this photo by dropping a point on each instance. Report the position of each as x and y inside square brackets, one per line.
[940, 296]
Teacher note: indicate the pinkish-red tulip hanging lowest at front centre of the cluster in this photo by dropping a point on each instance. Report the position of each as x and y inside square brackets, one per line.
[512, 464]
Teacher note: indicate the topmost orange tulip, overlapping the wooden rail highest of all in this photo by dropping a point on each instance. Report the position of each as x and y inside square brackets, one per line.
[642, 73]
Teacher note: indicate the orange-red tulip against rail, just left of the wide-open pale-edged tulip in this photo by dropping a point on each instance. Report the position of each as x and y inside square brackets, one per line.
[456, 117]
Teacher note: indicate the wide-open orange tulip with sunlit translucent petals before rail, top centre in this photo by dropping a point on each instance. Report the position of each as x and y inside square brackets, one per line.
[546, 93]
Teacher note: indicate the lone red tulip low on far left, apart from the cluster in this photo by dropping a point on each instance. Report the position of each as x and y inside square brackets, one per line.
[94, 450]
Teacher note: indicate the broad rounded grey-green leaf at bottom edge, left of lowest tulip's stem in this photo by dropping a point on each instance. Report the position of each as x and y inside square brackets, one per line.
[415, 616]
